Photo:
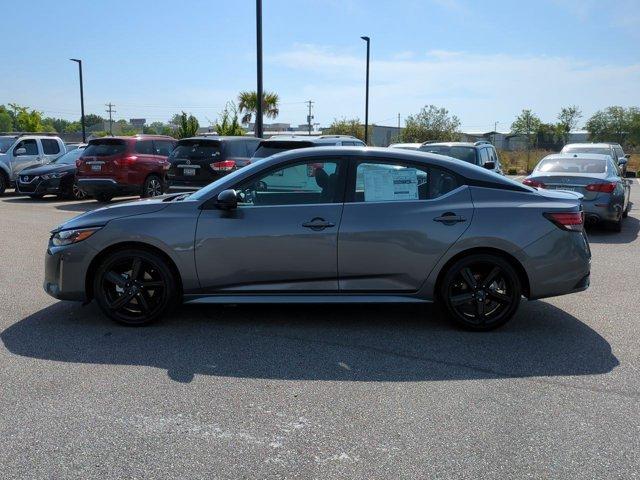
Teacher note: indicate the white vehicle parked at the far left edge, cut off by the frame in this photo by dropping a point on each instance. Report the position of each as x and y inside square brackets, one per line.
[24, 150]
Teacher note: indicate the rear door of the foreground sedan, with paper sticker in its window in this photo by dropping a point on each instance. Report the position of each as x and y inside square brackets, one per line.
[398, 221]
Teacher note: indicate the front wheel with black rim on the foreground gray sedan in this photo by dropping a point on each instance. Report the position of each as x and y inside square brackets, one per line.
[135, 287]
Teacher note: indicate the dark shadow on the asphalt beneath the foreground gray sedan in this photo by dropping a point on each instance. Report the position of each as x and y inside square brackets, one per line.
[387, 343]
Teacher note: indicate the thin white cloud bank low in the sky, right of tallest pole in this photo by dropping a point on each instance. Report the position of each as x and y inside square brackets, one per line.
[479, 88]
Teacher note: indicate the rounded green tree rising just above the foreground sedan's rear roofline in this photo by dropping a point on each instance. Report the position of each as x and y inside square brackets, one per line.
[431, 123]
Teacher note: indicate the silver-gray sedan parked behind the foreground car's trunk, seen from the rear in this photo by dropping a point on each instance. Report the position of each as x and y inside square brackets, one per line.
[595, 176]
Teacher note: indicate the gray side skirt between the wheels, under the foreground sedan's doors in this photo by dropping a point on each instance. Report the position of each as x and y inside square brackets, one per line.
[301, 298]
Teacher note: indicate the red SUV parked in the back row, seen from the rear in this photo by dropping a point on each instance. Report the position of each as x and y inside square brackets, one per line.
[116, 166]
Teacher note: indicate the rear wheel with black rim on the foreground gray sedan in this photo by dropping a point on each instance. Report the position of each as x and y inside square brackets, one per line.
[480, 292]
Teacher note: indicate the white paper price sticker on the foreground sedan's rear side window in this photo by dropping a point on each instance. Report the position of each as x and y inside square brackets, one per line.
[386, 184]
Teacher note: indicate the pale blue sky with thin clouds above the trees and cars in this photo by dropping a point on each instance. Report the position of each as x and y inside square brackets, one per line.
[484, 61]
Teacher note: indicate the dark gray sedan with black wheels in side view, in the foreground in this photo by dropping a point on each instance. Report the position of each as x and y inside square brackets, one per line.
[331, 225]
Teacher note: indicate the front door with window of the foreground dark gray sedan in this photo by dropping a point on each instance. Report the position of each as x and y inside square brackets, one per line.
[283, 236]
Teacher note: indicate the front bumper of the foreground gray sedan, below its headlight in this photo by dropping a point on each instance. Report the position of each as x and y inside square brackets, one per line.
[65, 270]
